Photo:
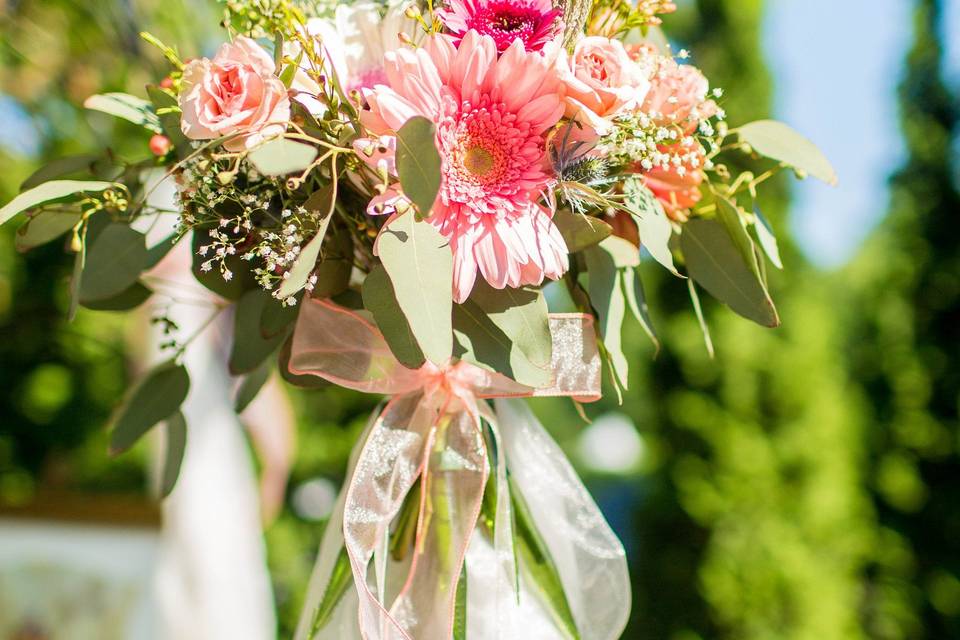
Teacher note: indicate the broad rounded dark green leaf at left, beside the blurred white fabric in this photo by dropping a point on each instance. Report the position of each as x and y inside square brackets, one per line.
[114, 262]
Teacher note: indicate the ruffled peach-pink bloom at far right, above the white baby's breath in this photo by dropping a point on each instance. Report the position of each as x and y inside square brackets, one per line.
[678, 95]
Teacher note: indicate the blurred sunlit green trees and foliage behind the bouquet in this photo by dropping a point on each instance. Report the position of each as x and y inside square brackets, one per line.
[805, 483]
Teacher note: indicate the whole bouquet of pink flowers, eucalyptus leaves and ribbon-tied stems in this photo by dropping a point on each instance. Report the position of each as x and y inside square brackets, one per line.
[383, 194]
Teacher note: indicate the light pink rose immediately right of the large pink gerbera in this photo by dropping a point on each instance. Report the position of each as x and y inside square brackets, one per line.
[602, 81]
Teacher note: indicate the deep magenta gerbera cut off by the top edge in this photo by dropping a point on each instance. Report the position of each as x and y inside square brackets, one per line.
[533, 22]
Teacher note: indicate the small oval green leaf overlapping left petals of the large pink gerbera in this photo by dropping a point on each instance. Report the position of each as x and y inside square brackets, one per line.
[418, 162]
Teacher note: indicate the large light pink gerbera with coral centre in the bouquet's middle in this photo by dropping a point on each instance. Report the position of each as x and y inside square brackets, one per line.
[491, 116]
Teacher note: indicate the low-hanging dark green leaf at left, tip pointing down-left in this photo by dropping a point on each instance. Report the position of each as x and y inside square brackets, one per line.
[155, 399]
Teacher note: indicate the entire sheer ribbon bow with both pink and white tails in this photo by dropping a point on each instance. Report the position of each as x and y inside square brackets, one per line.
[432, 430]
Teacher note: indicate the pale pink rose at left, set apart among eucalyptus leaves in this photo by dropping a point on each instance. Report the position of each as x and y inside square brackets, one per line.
[236, 92]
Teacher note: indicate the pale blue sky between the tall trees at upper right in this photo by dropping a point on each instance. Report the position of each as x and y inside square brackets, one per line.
[836, 65]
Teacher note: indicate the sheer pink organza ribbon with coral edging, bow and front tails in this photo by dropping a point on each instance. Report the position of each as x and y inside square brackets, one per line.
[431, 429]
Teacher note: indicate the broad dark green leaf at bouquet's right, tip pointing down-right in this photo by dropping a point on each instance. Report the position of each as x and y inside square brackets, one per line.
[714, 261]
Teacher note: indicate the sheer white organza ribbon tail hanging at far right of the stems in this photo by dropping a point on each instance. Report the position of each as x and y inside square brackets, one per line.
[588, 556]
